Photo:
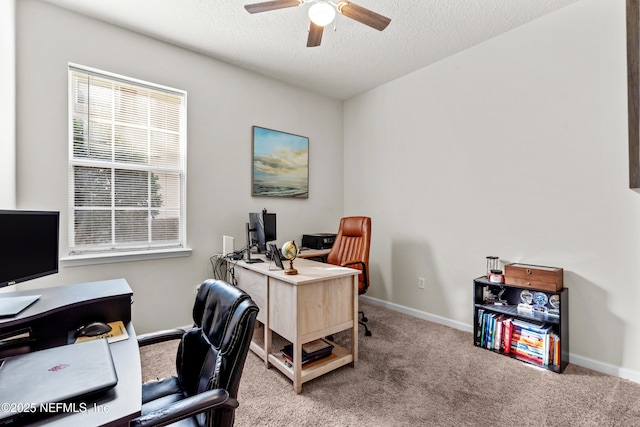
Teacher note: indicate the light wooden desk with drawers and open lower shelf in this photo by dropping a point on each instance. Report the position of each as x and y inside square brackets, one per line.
[320, 300]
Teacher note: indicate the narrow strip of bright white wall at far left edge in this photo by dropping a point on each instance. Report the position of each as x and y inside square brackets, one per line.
[7, 105]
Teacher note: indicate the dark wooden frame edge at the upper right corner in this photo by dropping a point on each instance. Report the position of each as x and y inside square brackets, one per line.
[633, 88]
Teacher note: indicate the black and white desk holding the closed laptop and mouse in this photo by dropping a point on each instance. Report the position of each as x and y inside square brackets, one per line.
[61, 310]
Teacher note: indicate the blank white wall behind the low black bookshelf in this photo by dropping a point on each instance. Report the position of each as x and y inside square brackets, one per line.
[517, 148]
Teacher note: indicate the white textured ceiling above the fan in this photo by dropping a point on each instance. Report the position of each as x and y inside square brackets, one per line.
[352, 59]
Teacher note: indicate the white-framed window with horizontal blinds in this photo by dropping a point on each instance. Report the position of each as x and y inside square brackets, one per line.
[127, 148]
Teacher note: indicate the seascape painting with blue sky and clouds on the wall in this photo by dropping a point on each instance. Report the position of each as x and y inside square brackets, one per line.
[280, 164]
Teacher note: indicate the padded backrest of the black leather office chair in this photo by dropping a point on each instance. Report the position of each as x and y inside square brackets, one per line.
[212, 354]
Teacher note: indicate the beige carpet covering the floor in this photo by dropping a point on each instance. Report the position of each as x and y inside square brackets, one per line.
[416, 373]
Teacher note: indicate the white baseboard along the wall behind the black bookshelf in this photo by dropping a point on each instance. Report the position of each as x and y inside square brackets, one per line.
[605, 368]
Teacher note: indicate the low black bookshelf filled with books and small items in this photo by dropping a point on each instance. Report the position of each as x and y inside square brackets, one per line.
[533, 335]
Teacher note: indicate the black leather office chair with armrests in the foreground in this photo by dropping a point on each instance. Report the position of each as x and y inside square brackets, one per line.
[209, 362]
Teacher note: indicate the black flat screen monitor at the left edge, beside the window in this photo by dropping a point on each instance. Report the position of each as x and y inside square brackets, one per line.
[28, 245]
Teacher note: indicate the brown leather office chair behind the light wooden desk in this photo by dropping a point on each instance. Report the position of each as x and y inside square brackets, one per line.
[351, 249]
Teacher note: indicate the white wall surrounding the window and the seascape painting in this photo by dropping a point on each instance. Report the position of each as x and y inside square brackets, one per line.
[223, 103]
